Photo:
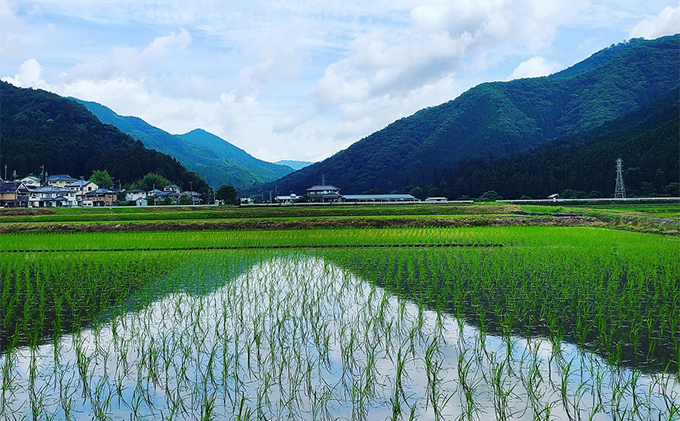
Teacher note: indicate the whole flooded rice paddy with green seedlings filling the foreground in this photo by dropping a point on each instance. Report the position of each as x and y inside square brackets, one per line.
[461, 322]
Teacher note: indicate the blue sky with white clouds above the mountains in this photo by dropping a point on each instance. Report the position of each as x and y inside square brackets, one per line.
[301, 79]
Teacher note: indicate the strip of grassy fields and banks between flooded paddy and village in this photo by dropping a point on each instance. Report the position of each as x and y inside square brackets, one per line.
[657, 217]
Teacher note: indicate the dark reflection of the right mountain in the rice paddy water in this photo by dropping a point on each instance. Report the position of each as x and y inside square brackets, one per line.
[526, 294]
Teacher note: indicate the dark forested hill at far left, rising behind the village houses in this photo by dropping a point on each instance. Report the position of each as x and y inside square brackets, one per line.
[41, 128]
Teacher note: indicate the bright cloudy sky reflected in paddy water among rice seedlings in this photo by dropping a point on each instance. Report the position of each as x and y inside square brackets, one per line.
[293, 337]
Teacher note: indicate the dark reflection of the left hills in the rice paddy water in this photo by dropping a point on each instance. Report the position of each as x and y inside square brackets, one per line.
[98, 286]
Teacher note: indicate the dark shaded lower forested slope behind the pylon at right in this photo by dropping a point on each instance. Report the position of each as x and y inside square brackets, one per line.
[583, 164]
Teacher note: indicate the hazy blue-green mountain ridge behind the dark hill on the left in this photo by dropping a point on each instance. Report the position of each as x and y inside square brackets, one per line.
[213, 158]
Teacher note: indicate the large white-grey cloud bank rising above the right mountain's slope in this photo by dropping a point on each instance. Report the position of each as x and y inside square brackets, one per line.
[387, 71]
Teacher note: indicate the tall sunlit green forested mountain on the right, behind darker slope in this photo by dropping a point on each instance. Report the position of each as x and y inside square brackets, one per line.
[498, 119]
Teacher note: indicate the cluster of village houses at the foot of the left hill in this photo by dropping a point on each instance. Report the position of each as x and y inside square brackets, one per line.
[65, 191]
